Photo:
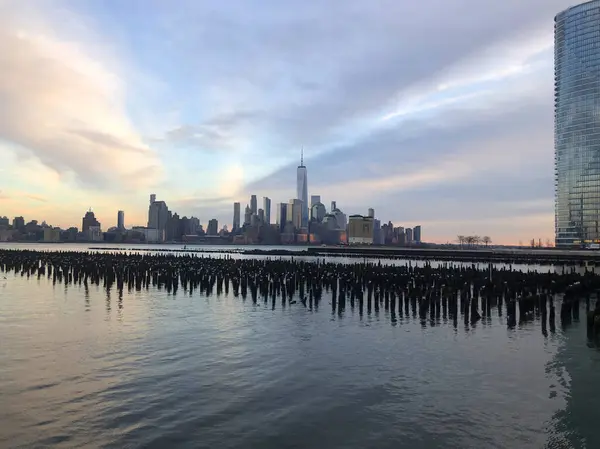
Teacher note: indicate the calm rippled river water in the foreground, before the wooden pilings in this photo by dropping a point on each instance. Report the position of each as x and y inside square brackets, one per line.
[80, 368]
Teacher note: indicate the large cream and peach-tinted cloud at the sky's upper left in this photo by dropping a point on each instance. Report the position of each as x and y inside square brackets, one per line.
[64, 108]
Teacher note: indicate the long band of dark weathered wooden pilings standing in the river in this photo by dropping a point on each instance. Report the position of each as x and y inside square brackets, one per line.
[444, 292]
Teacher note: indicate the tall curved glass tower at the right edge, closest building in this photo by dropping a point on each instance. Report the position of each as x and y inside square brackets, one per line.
[576, 125]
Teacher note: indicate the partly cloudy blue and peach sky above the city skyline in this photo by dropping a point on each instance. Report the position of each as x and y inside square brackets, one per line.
[436, 112]
